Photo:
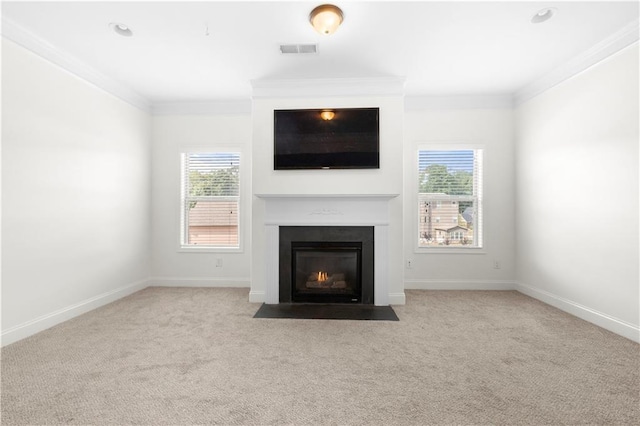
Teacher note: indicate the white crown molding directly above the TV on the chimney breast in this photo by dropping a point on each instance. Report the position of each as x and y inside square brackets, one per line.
[323, 87]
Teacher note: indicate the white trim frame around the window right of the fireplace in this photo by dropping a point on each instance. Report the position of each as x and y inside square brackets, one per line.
[442, 146]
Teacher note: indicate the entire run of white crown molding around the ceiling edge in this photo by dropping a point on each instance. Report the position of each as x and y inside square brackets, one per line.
[323, 87]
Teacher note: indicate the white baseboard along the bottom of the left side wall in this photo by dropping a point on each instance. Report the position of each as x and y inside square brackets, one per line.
[44, 322]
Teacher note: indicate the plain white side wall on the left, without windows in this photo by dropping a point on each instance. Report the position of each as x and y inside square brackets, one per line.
[75, 195]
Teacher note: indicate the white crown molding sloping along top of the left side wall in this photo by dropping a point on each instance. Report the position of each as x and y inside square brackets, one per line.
[30, 41]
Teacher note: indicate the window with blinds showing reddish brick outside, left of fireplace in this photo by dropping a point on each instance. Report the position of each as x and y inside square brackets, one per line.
[210, 200]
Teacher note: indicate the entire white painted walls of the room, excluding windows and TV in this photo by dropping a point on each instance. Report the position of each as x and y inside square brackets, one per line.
[80, 210]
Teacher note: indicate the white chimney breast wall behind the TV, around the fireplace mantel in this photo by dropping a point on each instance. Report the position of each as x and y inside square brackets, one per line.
[386, 180]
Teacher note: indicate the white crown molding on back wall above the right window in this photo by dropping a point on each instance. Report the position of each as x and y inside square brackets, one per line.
[418, 103]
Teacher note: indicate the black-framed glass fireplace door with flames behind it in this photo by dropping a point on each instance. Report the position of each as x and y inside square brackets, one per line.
[326, 272]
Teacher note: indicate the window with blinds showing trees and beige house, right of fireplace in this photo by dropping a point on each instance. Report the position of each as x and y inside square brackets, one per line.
[450, 183]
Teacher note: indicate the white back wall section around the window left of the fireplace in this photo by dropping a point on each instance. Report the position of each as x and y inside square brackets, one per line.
[172, 135]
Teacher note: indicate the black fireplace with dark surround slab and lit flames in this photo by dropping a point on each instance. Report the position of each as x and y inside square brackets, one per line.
[326, 264]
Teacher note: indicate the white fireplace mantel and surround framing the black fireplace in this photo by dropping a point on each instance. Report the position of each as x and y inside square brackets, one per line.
[327, 210]
